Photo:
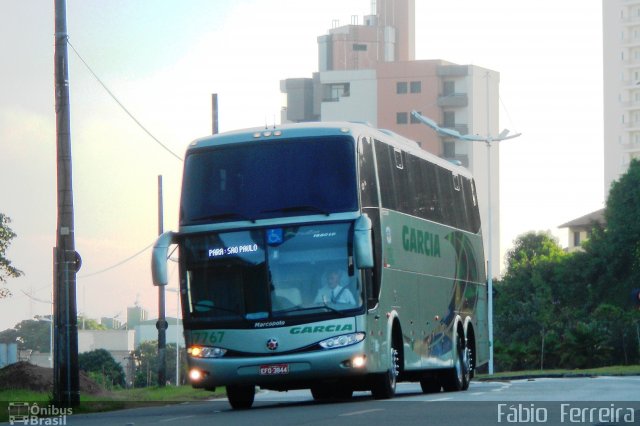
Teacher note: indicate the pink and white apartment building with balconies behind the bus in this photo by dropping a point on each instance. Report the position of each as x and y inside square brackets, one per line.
[368, 72]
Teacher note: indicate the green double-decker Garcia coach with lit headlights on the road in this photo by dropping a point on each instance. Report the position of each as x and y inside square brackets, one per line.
[334, 257]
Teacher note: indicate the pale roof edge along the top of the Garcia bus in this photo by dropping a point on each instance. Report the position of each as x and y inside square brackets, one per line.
[317, 128]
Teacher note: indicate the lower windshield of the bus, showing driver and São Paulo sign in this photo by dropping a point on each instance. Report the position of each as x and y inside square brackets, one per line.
[272, 273]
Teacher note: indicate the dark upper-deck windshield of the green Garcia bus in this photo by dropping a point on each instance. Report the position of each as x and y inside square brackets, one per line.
[261, 180]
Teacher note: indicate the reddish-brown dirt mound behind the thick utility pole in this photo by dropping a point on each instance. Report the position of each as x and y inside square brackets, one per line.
[23, 375]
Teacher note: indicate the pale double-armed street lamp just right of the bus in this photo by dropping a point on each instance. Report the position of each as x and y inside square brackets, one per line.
[488, 140]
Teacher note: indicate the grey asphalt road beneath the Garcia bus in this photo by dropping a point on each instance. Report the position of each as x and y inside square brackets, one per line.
[541, 401]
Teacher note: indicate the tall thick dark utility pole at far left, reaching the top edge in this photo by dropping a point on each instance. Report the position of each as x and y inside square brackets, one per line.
[66, 380]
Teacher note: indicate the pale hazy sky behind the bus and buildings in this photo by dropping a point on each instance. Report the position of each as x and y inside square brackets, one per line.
[163, 59]
